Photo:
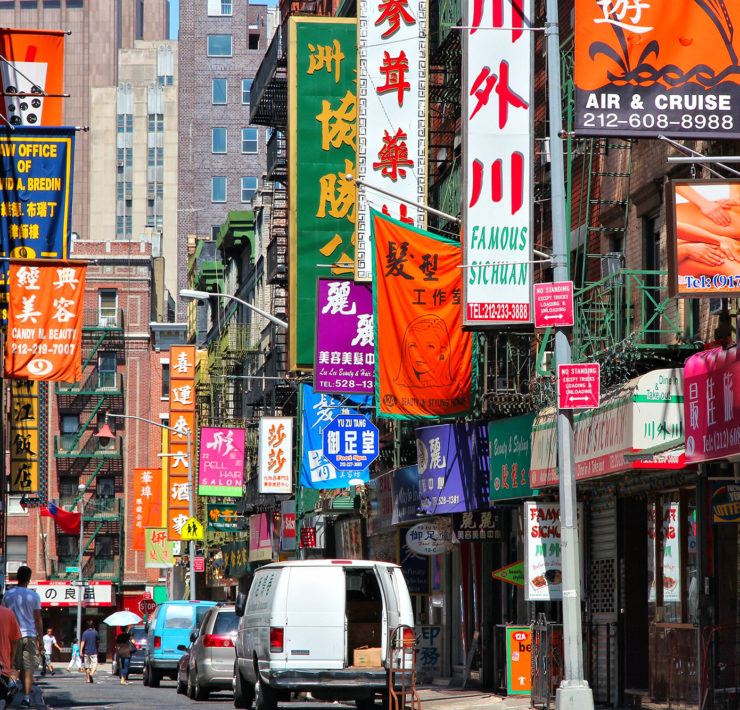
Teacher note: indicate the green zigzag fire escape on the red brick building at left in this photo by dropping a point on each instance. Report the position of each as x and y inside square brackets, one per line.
[82, 458]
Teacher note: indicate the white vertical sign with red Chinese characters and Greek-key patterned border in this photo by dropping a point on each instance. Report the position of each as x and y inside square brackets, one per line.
[392, 126]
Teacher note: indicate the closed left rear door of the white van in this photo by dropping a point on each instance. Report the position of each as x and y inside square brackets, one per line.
[314, 629]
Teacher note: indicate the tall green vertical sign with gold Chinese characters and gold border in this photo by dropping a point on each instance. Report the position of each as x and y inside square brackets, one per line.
[322, 130]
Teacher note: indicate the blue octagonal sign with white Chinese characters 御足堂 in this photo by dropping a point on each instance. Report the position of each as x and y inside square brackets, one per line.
[351, 442]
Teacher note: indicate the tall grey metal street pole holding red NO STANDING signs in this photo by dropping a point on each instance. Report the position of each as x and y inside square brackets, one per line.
[574, 691]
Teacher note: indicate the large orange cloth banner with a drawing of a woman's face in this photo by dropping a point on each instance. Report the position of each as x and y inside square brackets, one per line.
[424, 368]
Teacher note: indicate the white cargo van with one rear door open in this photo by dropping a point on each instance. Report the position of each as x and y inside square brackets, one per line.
[303, 621]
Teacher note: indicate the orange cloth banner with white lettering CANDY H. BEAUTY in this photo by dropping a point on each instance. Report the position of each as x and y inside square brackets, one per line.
[45, 320]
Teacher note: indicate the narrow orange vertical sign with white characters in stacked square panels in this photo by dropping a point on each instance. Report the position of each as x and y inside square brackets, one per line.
[182, 418]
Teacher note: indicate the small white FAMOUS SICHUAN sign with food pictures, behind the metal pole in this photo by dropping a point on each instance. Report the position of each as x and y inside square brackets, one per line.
[543, 567]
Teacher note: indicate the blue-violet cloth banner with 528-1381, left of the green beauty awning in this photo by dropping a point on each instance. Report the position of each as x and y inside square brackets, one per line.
[453, 465]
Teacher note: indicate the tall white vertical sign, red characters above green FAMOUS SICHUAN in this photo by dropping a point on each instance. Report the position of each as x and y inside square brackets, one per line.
[497, 178]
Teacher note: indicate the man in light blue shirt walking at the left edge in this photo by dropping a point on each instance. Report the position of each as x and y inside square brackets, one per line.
[26, 605]
